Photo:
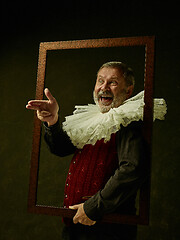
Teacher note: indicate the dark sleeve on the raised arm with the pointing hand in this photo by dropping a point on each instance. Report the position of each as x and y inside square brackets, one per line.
[58, 141]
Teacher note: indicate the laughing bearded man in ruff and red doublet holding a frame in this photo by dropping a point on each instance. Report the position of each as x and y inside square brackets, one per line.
[108, 165]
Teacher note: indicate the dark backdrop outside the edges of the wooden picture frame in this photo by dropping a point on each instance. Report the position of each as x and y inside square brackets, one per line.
[23, 26]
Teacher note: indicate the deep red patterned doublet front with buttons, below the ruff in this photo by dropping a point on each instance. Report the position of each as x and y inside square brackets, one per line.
[89, 170]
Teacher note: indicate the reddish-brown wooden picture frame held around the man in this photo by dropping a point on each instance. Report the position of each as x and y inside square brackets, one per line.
[144, 199]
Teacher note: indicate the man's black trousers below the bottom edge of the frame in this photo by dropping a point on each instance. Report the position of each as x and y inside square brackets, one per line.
[99, 232]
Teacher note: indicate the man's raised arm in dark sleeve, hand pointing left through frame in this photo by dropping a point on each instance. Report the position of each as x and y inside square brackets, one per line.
[47, 111]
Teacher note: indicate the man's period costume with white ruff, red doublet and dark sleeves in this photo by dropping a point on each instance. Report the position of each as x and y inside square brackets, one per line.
[97, 138]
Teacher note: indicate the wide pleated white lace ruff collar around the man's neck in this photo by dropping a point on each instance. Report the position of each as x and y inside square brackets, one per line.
[88, 124]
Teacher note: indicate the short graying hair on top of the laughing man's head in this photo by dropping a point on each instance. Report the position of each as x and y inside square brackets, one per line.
[127, 71]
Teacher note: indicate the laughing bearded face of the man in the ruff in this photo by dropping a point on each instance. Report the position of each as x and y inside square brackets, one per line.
[110, 89]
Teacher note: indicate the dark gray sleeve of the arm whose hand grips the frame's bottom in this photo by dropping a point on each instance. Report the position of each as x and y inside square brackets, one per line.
[127, 178]
